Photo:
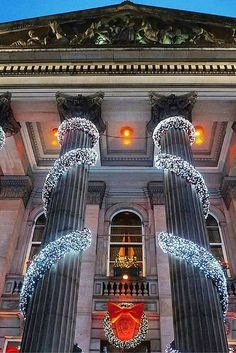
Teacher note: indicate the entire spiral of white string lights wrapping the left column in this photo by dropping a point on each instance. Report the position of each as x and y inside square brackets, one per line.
[75, 241]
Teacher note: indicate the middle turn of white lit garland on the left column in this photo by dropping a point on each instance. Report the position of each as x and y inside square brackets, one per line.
[62, 165]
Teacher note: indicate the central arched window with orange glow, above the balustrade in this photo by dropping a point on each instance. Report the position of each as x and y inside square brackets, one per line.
[126, 245]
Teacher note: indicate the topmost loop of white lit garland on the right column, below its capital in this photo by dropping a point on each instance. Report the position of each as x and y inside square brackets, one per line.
[176, 122]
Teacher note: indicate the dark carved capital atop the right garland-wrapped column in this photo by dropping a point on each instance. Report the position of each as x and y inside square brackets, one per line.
[164, 107]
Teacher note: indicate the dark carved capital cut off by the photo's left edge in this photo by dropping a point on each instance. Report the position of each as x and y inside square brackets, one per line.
[7, 121]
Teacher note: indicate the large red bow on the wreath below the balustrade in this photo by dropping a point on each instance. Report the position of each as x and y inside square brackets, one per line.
[135, 312]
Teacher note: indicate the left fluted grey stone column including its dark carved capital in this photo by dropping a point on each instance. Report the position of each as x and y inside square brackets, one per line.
[51, 316]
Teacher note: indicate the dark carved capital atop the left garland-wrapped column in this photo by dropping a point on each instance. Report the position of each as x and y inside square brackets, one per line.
[88, 107]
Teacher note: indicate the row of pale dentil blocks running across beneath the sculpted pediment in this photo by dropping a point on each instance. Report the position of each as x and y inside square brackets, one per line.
[63, 69]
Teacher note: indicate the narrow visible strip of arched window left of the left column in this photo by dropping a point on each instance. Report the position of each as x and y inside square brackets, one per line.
[37, 237]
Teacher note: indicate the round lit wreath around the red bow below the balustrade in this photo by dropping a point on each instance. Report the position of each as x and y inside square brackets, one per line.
[112, 339]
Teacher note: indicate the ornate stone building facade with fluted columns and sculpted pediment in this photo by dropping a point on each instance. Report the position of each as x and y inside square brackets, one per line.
[124, 68]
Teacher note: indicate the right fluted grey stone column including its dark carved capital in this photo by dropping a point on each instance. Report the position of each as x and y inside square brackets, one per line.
[198, 319]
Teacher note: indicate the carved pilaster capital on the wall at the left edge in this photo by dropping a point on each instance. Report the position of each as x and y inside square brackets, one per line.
[15, 188]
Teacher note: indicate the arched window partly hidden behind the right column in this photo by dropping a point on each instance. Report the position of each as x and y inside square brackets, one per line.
[215, 239]
